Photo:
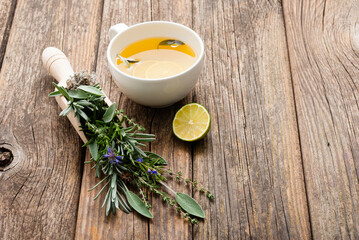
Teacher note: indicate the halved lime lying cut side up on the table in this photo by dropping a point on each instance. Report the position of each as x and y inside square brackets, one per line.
[191, 122]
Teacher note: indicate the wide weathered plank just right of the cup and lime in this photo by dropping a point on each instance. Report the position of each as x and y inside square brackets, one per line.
[251, 157]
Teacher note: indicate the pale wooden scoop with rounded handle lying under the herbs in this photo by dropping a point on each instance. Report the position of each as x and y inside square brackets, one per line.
[57, 64]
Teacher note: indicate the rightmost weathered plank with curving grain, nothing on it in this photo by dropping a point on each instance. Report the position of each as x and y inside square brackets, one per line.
[324, 48]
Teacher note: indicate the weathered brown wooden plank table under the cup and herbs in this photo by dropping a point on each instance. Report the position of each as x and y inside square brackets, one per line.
[281, 84]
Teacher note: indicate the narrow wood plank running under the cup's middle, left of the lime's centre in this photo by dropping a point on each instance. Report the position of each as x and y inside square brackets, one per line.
[168, 224]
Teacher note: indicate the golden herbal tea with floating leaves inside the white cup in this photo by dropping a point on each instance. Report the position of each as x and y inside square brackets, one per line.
[155, 58]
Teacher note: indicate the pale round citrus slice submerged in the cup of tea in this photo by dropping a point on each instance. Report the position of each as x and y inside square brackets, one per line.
[163, 69]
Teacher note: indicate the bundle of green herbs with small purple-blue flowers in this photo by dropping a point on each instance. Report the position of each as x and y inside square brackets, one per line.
[115, 143]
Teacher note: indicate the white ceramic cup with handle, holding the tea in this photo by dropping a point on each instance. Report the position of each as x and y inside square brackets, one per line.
[154, 92]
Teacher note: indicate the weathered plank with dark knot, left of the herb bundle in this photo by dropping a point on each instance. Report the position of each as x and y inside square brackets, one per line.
[39, 194]
